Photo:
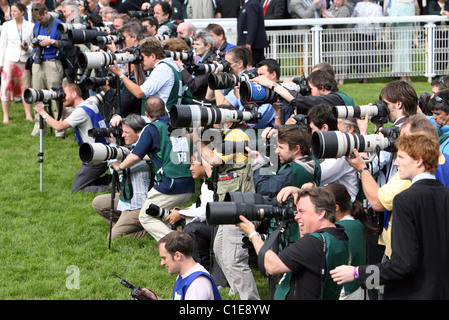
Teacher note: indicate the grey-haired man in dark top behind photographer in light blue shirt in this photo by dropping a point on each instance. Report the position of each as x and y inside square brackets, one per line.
[203, 43]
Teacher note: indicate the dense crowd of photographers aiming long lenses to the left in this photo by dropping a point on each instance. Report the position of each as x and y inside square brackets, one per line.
[160, 109]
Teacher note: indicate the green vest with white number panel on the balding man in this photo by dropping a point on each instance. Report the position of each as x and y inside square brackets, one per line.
[175, 159]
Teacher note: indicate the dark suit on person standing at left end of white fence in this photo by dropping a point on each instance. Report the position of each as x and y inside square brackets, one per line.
[251, 26]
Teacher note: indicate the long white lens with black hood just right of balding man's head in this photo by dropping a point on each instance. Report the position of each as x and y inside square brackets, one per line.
[195, 116]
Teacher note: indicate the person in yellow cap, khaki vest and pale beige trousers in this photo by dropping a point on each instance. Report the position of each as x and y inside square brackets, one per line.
[231, 173]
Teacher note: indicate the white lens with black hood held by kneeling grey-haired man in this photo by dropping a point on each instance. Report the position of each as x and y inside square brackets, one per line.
[99, 152]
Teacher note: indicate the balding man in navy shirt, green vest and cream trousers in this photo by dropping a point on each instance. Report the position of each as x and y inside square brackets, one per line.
[174, 184]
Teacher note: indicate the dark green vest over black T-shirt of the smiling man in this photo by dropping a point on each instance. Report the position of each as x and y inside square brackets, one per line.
[336, 253]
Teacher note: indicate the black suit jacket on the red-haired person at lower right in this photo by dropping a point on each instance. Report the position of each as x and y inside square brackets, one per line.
[419, 264]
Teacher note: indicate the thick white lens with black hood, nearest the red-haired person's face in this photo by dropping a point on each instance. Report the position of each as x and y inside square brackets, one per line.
[335, 144]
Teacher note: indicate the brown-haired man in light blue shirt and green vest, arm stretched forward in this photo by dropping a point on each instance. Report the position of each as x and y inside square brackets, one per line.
[165, 78]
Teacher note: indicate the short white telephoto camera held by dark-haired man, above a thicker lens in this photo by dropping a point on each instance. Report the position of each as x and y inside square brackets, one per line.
[378, 112]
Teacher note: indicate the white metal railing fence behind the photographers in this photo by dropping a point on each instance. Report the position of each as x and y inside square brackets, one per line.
[388, 47]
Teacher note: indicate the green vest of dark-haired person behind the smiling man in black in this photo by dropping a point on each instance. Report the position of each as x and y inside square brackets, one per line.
[355, 230]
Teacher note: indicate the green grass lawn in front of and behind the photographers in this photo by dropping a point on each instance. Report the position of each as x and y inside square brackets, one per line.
[50, 238]
